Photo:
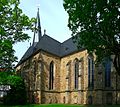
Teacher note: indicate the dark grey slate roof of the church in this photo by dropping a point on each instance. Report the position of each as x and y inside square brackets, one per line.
[52, 46]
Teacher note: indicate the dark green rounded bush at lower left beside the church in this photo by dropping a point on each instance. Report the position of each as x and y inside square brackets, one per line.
[17, 94]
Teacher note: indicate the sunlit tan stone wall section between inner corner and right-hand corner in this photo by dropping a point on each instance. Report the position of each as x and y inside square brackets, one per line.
[72, 95]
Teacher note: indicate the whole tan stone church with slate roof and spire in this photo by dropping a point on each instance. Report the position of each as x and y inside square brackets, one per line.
[56, 72]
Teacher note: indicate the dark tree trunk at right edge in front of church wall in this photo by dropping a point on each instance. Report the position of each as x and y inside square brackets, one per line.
[117, 63]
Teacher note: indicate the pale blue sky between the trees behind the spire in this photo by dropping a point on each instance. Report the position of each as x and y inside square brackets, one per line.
[54, 20]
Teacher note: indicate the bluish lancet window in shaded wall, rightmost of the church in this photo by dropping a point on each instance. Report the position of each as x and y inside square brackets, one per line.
[107, 72]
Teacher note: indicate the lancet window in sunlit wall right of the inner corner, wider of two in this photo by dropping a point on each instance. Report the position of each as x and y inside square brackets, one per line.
[76, 68]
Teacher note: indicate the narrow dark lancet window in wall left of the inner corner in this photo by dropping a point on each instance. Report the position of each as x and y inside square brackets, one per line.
[51, 76]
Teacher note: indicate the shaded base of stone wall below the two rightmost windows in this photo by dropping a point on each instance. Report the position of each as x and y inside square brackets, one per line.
[106, 97]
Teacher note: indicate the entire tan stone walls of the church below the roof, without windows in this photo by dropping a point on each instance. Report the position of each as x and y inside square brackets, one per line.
[64, 89]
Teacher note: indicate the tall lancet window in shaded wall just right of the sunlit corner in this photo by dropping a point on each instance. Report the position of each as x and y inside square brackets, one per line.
[90, 71]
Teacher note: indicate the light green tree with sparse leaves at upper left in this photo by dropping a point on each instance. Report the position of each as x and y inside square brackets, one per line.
[13, 23]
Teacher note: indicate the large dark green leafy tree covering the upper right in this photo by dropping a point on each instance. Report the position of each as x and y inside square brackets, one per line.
[95, 25]
